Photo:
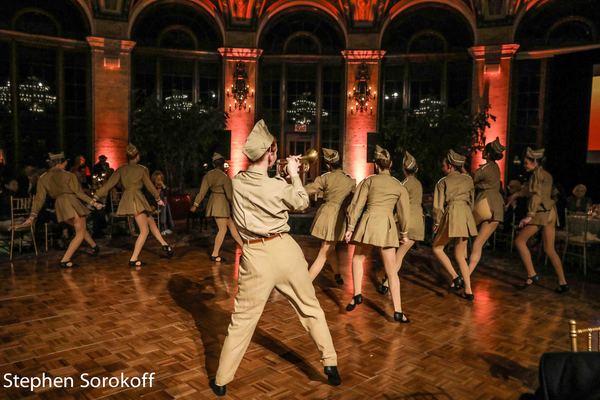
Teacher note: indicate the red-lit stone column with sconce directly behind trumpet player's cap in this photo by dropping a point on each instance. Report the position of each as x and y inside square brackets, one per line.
[241, 120]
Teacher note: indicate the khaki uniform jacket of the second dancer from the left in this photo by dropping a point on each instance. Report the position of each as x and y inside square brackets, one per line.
[133, 177]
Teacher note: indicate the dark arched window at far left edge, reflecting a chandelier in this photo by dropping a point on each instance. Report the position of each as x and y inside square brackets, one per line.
[44, 88]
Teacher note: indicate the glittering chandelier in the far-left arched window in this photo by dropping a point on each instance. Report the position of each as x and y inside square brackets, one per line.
[34, 95]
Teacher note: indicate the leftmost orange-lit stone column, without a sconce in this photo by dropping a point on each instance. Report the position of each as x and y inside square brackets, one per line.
[111, 101]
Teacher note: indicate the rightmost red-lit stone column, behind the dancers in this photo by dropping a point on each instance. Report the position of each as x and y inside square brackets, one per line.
[491, 85]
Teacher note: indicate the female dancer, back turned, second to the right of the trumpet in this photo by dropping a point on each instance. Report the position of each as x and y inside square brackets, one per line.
[380, 194]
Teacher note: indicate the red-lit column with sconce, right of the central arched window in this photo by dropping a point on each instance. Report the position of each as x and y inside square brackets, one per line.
[360, 122]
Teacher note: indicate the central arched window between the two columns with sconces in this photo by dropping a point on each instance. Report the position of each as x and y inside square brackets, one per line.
[301, 84]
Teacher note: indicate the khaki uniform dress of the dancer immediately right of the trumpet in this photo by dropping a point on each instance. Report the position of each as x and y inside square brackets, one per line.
[329, 223]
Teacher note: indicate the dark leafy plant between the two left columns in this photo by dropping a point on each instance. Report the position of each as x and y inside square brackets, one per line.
[176, 141]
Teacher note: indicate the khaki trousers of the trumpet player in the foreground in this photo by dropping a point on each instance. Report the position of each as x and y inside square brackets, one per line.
[275, 264]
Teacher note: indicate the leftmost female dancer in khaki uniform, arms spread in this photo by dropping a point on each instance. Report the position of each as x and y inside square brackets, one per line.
[65, 189]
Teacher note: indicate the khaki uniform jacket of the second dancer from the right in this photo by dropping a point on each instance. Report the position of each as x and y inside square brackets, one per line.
[487, 189]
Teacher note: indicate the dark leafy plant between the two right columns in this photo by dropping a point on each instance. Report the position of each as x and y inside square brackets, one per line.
[430, 132]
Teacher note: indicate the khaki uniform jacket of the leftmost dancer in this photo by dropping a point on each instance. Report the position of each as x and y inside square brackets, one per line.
[65, 189]
